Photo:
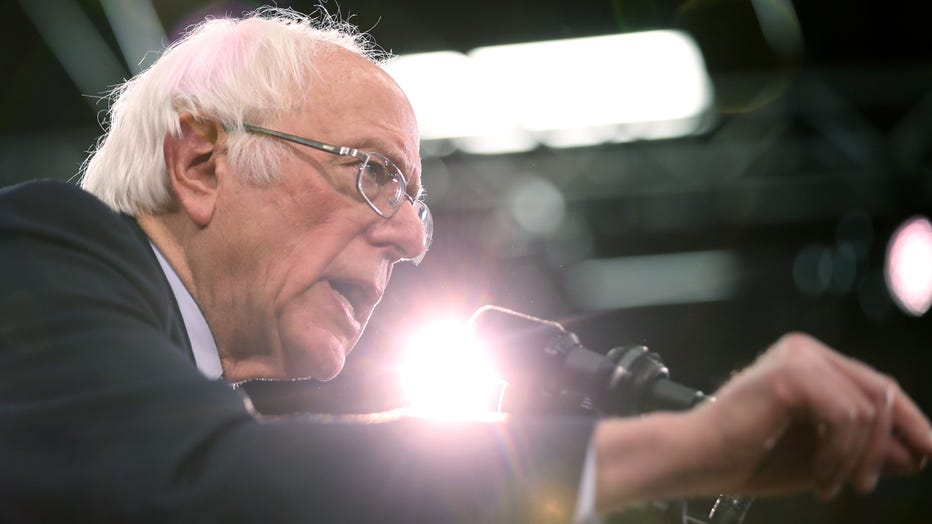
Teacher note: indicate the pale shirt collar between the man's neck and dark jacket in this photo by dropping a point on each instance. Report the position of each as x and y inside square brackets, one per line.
[202, 340]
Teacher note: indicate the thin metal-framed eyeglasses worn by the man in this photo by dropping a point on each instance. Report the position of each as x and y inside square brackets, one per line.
[378, 180]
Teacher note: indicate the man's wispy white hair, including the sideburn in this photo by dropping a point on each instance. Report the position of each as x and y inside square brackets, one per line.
[235, 71]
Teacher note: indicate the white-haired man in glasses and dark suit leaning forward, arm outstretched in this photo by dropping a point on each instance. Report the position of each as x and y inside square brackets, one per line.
[268, 177]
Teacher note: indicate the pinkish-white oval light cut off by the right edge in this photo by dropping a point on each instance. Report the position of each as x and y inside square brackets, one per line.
[909, 266]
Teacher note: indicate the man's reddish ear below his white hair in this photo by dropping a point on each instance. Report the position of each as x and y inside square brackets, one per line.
[191, 161]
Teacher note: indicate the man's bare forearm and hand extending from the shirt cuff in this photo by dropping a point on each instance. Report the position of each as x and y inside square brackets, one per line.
[801, 417]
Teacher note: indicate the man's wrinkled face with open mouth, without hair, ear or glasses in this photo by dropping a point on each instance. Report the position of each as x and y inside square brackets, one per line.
[296, 267]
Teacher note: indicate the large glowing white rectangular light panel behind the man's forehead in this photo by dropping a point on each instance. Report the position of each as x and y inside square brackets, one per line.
[560, 93]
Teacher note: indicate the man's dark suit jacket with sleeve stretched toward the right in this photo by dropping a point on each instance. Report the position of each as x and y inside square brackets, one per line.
[104, 417]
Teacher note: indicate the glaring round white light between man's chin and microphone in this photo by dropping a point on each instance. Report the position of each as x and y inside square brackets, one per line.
[447, 373]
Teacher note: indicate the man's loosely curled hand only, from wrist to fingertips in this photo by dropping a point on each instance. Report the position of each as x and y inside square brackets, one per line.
[804, 416]
